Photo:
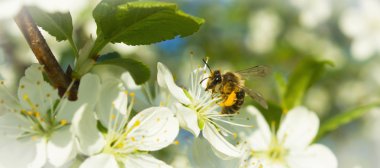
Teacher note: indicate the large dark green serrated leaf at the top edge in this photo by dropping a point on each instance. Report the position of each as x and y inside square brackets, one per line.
[140, 23]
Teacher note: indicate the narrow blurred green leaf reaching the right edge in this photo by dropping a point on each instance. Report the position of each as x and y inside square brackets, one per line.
[343, 118]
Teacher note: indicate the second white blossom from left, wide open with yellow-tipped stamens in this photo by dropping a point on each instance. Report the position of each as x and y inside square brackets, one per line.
[110, 138]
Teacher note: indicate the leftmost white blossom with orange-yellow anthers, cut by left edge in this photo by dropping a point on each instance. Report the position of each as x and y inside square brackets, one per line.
[35, 125]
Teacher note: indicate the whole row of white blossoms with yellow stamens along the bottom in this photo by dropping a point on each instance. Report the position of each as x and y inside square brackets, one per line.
[103, 128]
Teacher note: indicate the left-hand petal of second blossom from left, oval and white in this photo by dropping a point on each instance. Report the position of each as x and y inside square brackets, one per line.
[84, 126]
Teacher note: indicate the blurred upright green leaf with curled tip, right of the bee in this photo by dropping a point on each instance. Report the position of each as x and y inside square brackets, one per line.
[304, 75]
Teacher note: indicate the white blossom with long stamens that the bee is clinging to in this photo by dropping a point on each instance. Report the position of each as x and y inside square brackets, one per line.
[197, 110]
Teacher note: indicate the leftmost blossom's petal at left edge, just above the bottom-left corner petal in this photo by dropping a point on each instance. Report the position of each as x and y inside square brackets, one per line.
[11, 124]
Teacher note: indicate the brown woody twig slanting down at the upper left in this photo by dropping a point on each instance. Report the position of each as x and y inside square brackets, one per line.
[42, 52]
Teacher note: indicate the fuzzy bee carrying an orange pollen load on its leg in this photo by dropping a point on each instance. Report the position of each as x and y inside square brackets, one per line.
[230, 87]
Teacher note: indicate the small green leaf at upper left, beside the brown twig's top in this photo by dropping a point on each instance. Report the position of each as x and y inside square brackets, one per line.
[56, 24]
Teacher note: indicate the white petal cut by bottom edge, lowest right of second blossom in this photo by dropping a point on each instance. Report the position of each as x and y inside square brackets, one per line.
[144, 161]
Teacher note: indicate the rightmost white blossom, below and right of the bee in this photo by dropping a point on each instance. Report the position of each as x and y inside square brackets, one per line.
[290, 146]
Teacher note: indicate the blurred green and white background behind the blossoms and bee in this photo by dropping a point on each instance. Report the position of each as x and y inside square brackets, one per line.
[239, 34]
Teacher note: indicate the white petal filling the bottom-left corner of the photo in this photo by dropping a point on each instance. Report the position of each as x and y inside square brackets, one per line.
[16, 153]
